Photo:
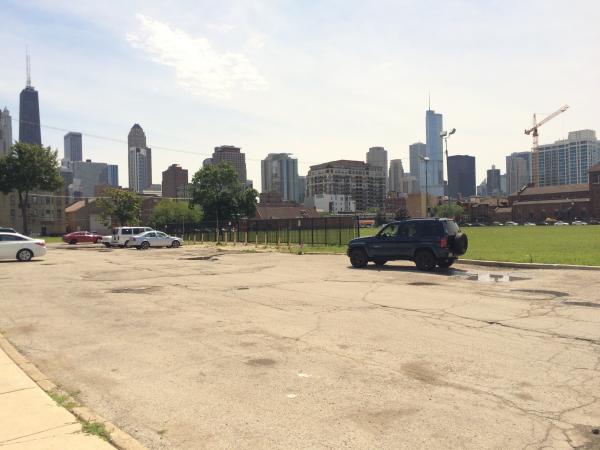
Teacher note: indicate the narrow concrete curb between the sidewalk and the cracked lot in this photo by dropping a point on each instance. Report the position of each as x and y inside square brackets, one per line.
[118, 438]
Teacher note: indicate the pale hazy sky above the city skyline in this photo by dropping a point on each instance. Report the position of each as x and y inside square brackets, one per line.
[323, 80]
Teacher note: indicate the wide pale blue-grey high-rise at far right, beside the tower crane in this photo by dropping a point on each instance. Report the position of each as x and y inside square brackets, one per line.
[568, 161]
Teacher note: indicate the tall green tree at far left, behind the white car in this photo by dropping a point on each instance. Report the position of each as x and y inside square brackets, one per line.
[27, 168]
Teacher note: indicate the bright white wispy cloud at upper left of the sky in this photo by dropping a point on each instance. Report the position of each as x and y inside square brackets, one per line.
[199, 67]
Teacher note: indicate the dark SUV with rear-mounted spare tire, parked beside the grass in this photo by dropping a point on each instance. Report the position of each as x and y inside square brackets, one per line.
[427, 242]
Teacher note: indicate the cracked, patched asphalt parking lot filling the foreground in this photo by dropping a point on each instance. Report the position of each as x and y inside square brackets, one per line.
[202, 348]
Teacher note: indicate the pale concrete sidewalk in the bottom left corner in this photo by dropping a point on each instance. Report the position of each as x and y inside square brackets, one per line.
[30, 419]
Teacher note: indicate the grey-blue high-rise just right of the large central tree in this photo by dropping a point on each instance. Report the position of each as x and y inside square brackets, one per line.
[279, 173]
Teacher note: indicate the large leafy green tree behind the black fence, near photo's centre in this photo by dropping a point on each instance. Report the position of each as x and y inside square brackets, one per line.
[221, 195]
